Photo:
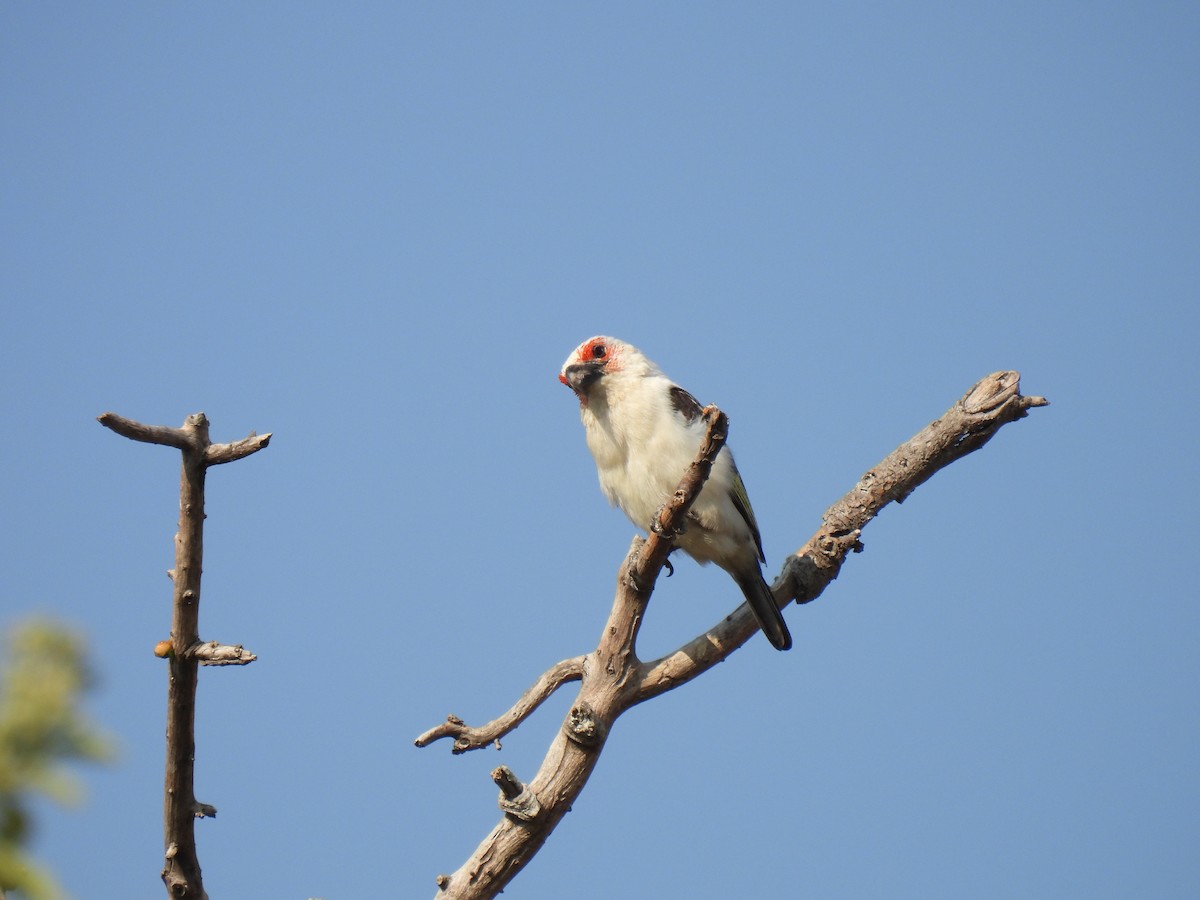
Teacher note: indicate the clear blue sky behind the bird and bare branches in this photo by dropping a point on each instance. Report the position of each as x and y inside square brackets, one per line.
[376, 231]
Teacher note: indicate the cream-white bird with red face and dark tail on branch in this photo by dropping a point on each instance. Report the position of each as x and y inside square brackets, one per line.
[644, 430]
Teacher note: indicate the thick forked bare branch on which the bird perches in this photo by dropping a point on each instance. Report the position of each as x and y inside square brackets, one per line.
[614, 680]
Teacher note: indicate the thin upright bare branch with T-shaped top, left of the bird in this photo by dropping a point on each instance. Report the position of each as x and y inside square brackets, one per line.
[185, 651]
